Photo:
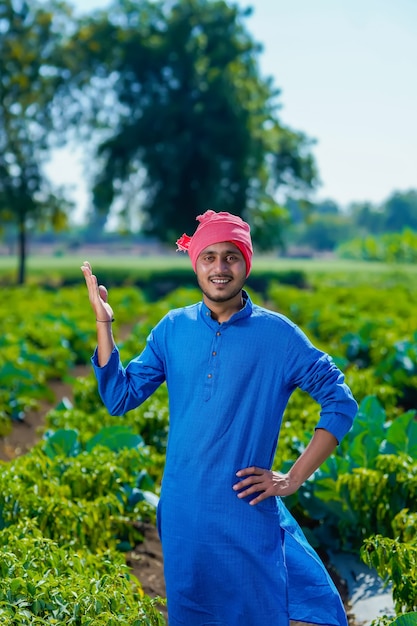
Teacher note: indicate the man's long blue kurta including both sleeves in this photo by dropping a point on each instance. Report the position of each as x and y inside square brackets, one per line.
[228, 563]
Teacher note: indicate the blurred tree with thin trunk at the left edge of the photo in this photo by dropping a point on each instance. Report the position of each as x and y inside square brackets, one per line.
[29, 78]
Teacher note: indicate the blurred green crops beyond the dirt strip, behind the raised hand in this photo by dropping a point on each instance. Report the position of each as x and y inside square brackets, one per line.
[43, 341]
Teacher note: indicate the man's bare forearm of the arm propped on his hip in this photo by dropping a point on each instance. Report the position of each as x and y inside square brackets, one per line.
[321, 446]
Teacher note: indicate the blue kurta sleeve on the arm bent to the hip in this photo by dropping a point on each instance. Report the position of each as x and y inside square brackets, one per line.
[315, 372]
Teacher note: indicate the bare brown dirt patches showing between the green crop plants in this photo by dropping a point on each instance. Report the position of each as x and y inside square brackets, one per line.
[146, 560]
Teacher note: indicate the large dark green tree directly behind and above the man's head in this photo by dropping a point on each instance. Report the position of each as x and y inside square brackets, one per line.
[192, 125]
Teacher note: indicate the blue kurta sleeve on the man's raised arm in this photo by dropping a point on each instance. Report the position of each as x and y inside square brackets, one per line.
[123, 389]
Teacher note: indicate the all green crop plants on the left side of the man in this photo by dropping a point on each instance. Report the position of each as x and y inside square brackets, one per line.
[85, 490]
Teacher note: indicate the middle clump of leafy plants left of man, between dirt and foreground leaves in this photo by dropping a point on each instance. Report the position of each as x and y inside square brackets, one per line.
[82, 497]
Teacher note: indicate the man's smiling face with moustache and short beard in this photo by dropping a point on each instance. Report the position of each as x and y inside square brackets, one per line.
[221, 273]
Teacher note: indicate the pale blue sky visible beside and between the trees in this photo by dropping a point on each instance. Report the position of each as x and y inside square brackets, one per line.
[347, 73]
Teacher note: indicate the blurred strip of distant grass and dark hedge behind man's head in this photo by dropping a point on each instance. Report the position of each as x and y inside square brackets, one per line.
[159, 275]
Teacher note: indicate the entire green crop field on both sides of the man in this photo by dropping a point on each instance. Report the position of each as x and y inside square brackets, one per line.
[93, 478]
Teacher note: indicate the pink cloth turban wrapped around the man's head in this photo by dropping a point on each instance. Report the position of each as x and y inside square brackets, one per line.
[216, 228]
